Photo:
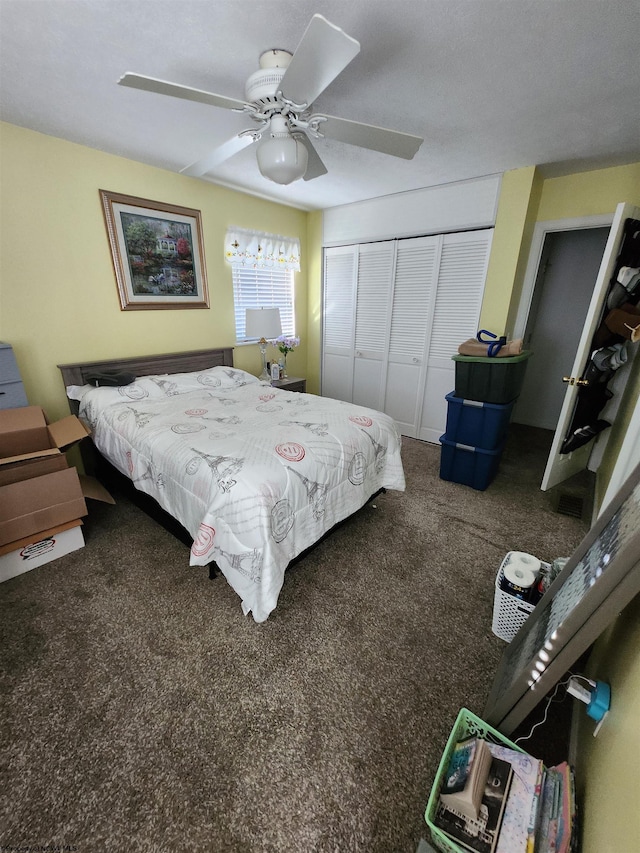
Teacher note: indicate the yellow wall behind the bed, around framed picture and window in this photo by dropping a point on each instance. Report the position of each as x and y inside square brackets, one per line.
[58, 296]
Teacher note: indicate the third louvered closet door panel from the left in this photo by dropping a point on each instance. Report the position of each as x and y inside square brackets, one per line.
[413, 299]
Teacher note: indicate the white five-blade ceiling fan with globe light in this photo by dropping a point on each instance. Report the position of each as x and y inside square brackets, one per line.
[279, 98]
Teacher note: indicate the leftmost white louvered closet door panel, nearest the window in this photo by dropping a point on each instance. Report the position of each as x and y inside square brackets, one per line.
[340, 266]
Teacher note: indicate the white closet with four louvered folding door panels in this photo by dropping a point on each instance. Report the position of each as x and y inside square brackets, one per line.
[394, 313]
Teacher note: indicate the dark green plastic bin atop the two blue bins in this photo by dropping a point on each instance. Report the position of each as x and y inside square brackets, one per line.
[490, 380]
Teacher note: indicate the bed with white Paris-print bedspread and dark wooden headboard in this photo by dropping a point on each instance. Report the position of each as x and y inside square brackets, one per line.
[255, 474]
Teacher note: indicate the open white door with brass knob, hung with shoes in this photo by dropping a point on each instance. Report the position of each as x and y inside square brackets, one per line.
[562, 466]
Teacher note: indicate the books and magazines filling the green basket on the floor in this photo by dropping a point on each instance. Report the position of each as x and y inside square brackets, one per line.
[495, 799]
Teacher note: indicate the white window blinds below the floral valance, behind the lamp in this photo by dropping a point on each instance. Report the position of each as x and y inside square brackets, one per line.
[263, 288]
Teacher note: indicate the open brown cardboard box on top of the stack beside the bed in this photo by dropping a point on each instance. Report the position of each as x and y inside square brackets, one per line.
[27, 441]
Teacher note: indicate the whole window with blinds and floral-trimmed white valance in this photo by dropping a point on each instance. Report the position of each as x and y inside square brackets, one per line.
[263, 267]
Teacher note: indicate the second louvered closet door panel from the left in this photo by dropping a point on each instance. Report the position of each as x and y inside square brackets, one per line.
[373, 309]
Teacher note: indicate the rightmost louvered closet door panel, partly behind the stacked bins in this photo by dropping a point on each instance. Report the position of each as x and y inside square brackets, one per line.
[461, 278]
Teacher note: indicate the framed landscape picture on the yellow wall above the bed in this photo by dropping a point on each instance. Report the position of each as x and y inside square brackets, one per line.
[157, 253]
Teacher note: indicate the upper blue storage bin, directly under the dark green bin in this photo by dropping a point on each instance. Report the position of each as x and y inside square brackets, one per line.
[475, 423]
